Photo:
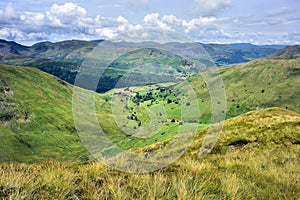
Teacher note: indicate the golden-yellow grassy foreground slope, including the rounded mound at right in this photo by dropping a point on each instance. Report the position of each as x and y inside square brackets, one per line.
[266, 168]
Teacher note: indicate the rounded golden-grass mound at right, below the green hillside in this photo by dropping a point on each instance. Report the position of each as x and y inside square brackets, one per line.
[270, 128]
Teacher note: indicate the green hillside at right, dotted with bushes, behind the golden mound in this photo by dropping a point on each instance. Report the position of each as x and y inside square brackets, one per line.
[258, 84]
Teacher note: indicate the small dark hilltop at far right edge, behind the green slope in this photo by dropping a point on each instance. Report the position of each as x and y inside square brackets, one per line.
[290, 52]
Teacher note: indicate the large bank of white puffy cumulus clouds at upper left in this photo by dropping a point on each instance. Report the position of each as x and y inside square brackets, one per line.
[67, 19]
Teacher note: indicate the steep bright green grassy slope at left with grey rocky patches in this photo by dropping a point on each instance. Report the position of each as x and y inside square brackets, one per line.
[48, 130]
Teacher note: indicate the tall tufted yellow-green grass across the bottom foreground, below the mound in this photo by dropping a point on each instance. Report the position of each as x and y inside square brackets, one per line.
[244, 175]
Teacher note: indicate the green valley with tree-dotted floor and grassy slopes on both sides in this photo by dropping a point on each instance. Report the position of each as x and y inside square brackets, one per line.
[47, 114]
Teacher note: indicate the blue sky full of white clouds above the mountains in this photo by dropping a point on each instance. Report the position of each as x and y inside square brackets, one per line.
[208, 21]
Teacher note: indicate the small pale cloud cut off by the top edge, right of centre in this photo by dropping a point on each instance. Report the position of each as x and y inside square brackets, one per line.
[212, 7]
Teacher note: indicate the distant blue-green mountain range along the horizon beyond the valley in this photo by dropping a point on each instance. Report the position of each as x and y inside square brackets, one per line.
[63, 59]
